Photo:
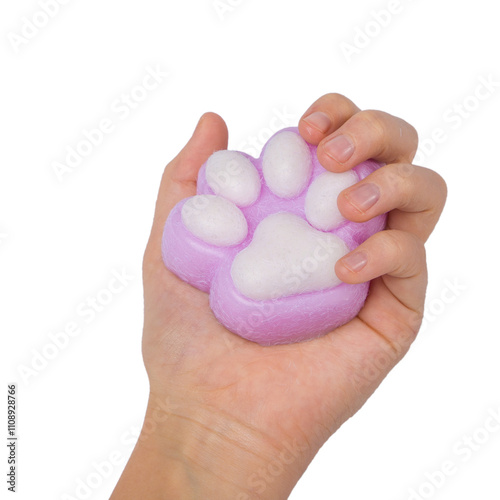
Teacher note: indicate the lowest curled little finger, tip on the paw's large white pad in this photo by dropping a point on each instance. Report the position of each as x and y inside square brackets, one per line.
[399, 256]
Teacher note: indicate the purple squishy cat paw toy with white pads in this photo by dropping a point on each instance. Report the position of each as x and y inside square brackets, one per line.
[262, 237]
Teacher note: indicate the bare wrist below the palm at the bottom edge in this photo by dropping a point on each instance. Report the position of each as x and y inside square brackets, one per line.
[201, 453]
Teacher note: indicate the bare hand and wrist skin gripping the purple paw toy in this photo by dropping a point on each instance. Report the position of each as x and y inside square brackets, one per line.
[228, 418]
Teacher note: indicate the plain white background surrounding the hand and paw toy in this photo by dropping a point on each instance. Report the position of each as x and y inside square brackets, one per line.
[61, 240]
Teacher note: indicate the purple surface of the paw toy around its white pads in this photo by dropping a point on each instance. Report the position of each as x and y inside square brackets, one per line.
[277, 321]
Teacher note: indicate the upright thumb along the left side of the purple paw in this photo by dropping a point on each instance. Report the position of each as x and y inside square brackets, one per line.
[179, 178]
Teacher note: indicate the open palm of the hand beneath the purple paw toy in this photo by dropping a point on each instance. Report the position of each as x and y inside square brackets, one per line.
[301, 388]
